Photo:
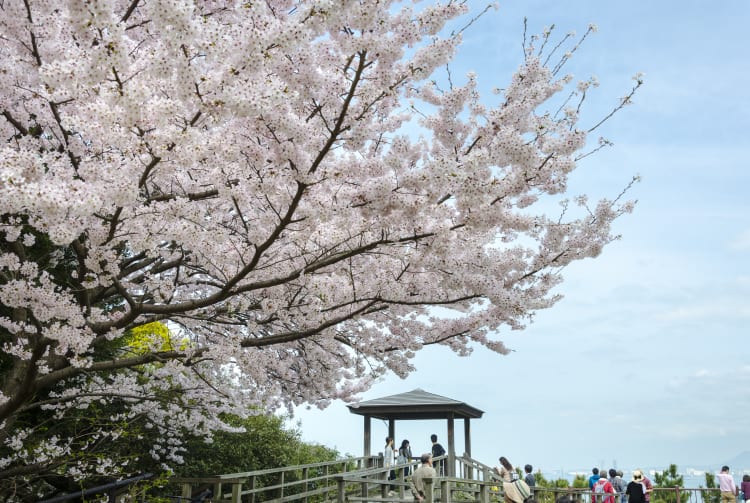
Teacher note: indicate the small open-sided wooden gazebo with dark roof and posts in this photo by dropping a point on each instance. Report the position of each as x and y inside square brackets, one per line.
[415, 405]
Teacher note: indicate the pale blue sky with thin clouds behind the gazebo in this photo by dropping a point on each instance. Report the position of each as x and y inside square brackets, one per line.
[645, 360]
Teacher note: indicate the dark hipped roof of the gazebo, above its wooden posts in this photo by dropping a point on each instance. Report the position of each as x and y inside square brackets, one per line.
[416, 404]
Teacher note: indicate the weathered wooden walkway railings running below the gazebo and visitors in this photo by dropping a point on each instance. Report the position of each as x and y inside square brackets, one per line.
[364, 479]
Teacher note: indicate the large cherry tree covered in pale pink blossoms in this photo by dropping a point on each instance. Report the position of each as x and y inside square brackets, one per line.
[283, 184]
